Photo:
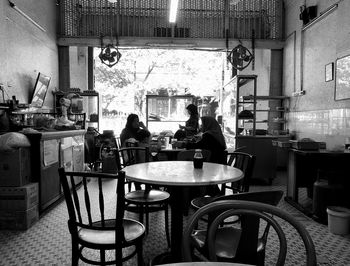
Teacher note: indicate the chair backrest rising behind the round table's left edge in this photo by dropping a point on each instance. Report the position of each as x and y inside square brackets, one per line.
[133, 155]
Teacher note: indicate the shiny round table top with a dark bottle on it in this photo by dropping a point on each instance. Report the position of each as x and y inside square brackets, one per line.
[182, 173]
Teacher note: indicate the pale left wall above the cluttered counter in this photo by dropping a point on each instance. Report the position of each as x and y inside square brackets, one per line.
[26, 50]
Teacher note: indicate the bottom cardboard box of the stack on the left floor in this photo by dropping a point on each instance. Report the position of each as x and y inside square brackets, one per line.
[19, 220]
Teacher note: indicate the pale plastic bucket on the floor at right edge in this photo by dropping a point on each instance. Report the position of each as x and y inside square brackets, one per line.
[338, 220]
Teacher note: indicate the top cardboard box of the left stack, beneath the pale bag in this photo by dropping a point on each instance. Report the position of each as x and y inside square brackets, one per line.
[15, 168]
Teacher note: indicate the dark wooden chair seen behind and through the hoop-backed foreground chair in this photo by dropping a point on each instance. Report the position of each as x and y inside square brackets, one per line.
[226, 236]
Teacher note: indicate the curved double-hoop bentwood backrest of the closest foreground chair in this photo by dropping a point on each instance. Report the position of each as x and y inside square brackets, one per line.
[268, 213]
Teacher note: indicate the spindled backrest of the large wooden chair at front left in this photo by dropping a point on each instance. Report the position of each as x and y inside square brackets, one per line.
[87, 207]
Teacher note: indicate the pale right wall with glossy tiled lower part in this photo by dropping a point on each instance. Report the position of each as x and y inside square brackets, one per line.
[316, 114]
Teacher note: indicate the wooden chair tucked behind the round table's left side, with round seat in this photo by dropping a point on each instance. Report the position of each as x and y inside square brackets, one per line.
[149, 199]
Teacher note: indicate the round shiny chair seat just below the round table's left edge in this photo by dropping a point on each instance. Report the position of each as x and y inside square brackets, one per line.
[152, 196]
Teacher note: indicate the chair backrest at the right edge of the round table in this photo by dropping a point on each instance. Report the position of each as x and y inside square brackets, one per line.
[244, 162]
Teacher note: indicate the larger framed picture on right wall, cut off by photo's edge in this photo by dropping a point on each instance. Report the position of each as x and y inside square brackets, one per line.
[342, 78]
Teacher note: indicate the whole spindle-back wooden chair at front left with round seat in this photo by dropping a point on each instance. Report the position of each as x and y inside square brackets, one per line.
[89, 223]
